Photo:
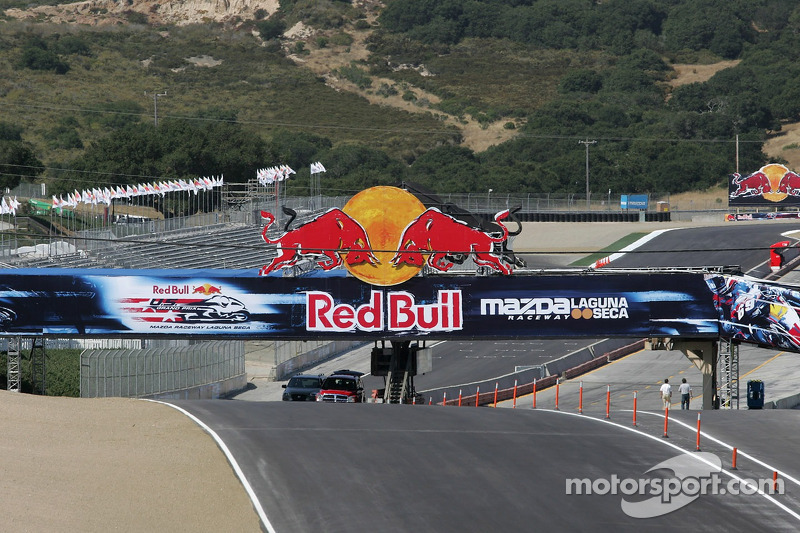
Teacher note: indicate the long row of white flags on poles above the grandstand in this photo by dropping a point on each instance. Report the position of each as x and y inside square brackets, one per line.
[106, 195]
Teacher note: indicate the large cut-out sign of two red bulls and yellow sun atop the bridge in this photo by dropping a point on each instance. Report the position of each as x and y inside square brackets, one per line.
[385, 235]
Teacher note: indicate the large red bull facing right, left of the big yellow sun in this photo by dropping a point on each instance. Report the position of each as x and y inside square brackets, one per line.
[322, 239]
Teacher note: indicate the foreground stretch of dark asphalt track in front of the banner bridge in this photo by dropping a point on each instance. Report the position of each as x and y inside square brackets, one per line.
[374, 467]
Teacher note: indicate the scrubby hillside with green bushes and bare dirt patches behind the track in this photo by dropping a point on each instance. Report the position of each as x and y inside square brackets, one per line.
[396, 90]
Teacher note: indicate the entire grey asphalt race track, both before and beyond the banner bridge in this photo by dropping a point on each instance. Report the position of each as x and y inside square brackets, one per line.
[433, 468]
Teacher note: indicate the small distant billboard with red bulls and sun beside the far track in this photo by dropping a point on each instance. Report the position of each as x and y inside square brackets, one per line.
[772, 185]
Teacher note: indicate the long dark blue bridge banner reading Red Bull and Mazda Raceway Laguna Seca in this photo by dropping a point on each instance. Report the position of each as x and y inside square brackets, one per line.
[333, 305]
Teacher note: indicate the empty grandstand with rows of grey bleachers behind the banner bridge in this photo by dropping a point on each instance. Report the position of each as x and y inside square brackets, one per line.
[228, 238]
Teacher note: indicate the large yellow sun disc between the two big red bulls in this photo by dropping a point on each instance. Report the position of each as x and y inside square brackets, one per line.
[384, 212]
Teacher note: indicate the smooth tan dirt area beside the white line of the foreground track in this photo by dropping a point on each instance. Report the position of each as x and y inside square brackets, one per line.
[90, 465]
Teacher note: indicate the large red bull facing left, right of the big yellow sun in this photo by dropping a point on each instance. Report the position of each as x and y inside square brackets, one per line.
[446, 239]
